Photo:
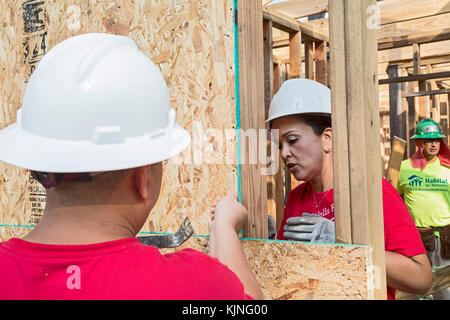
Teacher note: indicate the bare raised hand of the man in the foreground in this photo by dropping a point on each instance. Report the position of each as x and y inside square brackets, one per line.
[227, 211]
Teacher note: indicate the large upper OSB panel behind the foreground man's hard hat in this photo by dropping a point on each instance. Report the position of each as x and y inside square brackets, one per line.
[192, 42]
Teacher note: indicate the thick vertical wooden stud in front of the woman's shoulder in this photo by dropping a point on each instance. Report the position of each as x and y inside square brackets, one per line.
[358, 46]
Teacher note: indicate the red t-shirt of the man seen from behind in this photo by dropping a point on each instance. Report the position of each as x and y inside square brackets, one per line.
[120, 269]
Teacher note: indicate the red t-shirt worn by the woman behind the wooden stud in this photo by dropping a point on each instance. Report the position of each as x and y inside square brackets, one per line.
[400, 233]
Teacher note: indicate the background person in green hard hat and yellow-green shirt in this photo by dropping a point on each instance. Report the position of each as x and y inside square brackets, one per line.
[424, 185]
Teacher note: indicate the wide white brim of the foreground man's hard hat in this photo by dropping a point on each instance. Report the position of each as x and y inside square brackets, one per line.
[25, 150]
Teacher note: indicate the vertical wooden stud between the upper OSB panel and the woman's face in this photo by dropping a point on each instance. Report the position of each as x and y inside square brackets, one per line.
[251, 89]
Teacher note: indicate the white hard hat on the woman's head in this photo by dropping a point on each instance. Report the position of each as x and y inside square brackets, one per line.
[298, 96]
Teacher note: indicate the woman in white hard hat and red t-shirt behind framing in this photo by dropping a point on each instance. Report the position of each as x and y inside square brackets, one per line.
[301, 111]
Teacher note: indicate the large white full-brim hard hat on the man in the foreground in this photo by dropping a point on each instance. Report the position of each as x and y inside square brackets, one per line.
[94, 103]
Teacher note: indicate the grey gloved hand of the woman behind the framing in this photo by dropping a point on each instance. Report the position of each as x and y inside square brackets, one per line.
[309, 227]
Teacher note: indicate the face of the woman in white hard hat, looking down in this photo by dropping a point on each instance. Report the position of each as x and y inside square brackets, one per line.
[301, 149]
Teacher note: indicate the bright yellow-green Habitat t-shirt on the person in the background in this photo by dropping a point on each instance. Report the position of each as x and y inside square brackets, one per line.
[426, 193]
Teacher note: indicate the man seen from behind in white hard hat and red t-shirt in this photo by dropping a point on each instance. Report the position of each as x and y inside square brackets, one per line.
[94, 128]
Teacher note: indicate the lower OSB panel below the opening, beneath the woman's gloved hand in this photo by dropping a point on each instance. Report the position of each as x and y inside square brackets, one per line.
[296, 271]
